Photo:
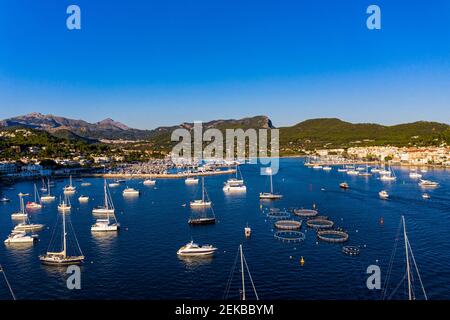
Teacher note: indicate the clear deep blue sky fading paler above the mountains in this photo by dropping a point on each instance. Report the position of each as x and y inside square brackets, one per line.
[149, 63]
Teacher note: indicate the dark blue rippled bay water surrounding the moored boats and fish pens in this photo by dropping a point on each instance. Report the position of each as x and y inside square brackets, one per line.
[140, 261]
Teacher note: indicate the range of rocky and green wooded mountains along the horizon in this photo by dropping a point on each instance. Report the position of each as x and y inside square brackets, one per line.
[314, 133]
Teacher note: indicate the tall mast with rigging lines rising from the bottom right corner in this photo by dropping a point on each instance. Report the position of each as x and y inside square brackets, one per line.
[410, 278]
